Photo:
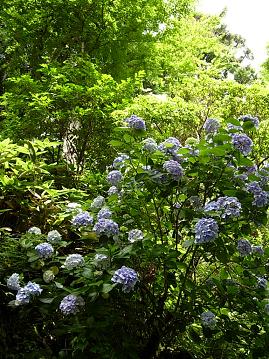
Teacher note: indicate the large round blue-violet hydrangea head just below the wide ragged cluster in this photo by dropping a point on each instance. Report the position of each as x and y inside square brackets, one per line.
[206, 230]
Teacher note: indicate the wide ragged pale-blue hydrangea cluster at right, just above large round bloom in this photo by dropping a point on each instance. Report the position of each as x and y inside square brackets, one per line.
[228, 206]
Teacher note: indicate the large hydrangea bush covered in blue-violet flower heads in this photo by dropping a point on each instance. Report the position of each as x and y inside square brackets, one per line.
[169, 254]
